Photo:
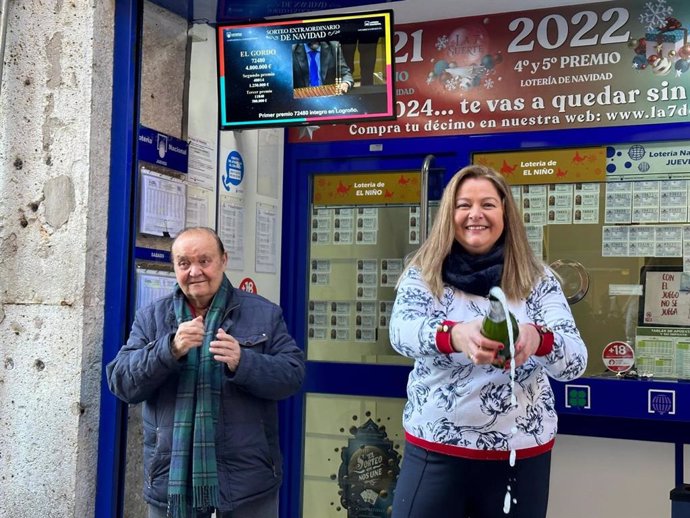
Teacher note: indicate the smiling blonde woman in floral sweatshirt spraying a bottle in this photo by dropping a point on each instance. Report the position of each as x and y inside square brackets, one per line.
[478, 445]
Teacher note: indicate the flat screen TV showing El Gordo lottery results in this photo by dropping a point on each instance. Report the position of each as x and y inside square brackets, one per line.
[305, 71]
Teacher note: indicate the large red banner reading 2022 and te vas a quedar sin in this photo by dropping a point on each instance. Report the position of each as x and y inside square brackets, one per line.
[602, 64]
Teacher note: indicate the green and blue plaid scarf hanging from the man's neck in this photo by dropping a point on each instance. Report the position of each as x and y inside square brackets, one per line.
[196, 414]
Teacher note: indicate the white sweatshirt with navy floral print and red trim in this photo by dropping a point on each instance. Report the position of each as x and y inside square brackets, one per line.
[459, 408]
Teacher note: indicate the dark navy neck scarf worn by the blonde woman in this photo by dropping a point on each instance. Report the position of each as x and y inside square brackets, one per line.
[475, 274]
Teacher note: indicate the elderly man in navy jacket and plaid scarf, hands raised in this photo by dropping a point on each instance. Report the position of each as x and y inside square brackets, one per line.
[209, 362]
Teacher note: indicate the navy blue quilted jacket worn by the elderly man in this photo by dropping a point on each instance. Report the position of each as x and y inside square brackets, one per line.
[271, 368]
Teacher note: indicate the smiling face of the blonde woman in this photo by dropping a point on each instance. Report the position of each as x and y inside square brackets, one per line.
[478, 215]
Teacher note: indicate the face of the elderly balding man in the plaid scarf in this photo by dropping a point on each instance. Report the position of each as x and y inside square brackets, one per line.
[199, 266]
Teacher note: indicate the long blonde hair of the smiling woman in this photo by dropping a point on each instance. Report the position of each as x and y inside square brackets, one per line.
[521, 268]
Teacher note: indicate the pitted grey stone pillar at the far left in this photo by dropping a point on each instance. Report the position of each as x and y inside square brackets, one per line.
[55, 113]
